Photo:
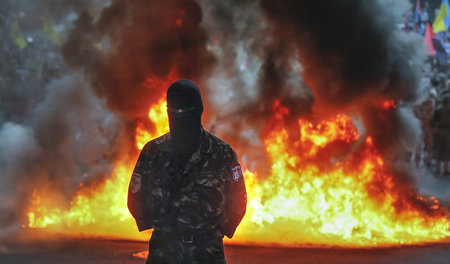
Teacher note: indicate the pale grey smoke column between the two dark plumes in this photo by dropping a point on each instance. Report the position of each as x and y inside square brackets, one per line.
[250, 74]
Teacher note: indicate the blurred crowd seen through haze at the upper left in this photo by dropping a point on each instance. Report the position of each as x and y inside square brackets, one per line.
[29, 61]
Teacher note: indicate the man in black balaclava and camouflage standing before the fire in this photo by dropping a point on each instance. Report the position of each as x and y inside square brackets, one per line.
[187, 185]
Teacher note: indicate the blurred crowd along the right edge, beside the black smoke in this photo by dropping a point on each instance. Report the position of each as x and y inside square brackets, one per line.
[434, 111]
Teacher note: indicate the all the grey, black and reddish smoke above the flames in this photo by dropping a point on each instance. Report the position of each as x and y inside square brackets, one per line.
[70, 103]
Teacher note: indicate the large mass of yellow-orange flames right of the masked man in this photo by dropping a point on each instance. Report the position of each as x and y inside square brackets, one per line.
[355, 202]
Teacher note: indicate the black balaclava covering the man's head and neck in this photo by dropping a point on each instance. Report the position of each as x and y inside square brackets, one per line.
[184, 108]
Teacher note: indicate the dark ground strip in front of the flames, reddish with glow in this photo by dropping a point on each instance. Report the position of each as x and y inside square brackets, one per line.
[70, 250]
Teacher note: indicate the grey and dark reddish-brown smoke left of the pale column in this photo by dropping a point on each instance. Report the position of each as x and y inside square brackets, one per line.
[96, 63]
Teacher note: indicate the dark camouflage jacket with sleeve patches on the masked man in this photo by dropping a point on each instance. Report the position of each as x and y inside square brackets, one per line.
[209, 193]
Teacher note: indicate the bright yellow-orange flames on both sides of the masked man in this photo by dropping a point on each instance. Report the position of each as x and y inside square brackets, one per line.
[318, 192]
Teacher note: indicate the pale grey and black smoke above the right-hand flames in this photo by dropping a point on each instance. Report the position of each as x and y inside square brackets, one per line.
[318, 58]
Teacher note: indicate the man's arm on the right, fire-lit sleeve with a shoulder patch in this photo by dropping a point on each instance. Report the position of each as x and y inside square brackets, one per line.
[236, 196]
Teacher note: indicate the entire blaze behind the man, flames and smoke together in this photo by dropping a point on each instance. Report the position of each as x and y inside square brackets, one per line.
[317, 101]
